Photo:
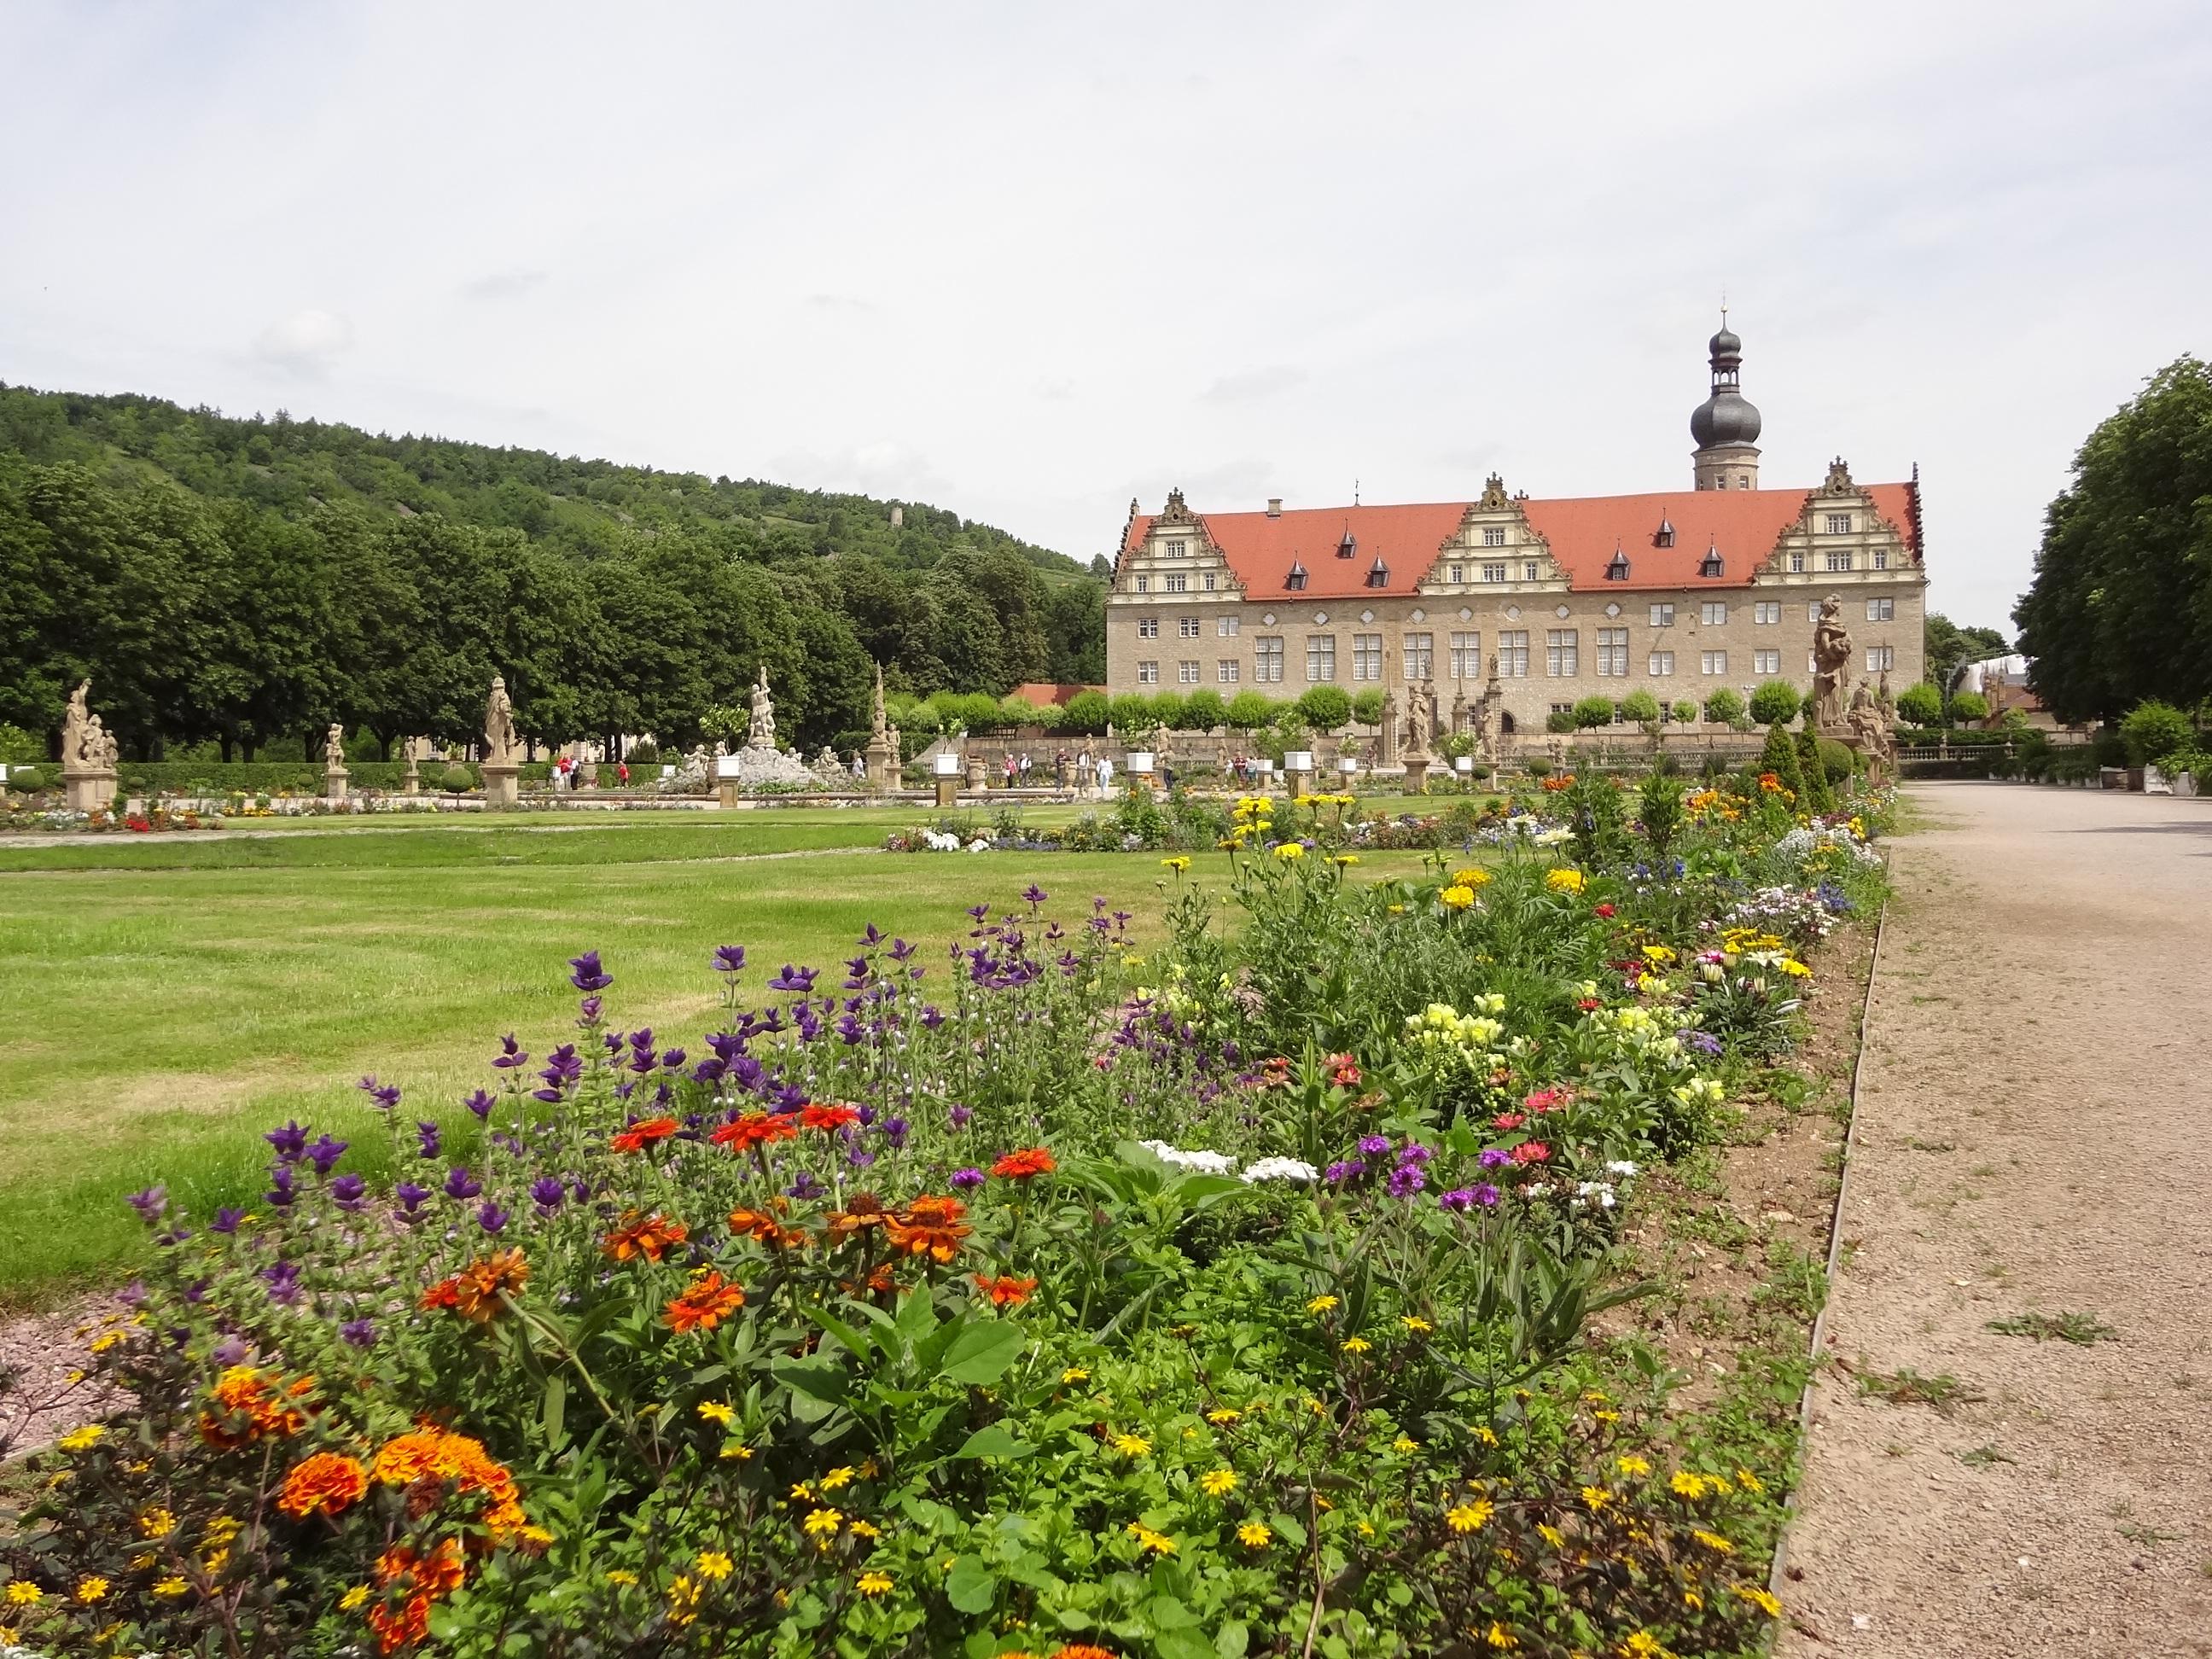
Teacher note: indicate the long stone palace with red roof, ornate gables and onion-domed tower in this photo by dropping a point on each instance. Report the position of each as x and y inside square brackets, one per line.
[1678, 594]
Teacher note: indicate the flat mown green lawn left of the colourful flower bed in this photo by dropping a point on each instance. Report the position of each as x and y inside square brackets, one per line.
[176, 997]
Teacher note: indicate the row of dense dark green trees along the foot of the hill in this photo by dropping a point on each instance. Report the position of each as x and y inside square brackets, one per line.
[238, 623]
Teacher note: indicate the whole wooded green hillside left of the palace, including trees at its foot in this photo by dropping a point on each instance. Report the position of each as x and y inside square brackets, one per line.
[251, 578]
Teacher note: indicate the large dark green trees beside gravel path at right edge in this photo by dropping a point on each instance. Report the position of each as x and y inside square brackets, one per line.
[2120, 609]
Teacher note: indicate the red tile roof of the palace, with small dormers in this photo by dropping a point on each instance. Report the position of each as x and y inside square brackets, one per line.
[1583, 534]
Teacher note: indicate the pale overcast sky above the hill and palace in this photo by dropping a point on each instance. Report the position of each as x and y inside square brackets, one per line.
[1027, 262]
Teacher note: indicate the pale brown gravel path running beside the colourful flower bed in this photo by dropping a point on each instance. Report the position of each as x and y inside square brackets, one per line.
[2032, 1134]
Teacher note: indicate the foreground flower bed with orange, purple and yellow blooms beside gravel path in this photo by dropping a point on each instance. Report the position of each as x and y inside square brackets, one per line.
[1030, 1295]
